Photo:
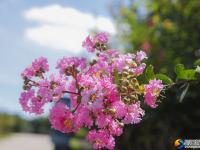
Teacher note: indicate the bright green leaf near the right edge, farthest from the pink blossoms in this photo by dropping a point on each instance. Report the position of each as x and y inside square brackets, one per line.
[185, 74]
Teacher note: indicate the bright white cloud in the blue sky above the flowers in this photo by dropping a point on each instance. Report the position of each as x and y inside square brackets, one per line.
[63, 28]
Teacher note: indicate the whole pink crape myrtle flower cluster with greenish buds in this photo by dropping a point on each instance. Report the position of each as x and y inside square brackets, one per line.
[104, 94]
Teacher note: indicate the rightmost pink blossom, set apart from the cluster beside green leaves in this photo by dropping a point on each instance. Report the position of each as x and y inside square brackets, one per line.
[152, 91]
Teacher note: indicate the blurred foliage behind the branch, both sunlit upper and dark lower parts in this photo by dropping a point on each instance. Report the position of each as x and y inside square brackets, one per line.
[168, 30]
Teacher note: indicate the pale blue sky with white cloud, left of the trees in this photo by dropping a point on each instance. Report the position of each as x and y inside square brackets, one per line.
[27, 29]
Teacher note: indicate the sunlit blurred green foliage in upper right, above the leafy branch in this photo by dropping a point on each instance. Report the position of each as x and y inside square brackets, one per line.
[168, 31]
